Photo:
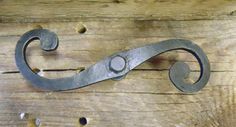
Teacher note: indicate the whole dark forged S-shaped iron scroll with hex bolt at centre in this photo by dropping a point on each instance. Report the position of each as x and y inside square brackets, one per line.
[114, 66]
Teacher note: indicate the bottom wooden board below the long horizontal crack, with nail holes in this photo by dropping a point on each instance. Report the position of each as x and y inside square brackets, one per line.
[148, 100]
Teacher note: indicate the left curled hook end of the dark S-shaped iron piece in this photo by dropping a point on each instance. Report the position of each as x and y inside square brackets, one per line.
[48, 42]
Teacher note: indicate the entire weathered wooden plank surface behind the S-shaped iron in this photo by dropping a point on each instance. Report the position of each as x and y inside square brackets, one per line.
[146, 96]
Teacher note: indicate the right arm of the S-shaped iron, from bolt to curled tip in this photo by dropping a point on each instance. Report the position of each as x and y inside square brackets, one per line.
[180, 70]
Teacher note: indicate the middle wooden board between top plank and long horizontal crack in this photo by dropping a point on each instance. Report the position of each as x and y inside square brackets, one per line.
[106, 37]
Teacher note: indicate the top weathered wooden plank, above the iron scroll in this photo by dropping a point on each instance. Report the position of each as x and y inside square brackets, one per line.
[73, 10]
